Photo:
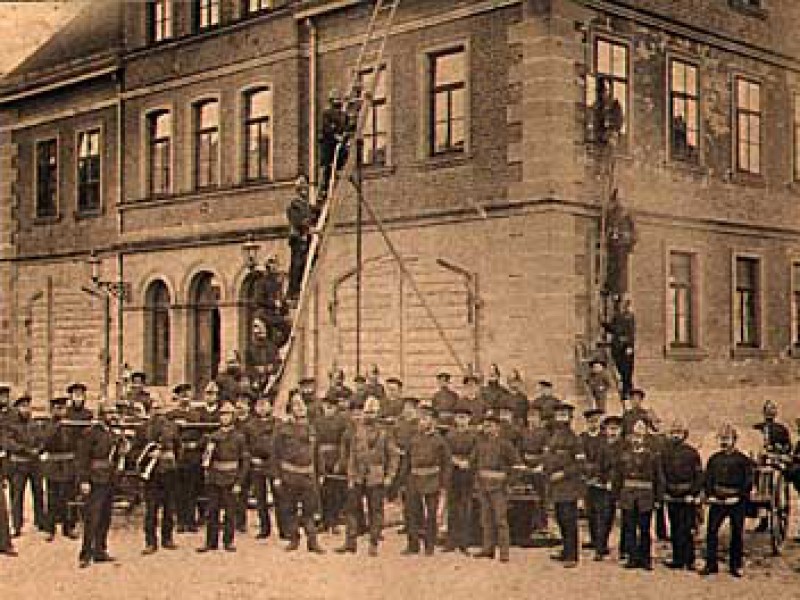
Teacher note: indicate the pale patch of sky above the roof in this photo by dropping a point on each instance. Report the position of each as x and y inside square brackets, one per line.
[24, 26]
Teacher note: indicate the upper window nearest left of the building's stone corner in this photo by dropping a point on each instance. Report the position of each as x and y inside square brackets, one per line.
[448, 101]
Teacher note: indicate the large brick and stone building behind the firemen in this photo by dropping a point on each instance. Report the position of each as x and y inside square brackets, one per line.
[481, 162]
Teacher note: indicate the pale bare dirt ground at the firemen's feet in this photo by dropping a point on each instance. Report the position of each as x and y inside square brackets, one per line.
[265, 571]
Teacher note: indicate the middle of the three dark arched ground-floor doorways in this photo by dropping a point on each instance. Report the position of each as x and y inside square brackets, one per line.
[204, 329]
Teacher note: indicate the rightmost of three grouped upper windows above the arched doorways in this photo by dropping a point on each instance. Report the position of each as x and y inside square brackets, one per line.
[257, 133]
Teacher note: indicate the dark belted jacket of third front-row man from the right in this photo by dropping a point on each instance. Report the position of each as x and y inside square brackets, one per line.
[639, 479]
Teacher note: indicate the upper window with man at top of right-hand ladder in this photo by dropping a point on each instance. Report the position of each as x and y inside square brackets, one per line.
[609, 88]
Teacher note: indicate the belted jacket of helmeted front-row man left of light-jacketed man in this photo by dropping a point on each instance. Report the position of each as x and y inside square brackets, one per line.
[296, 454]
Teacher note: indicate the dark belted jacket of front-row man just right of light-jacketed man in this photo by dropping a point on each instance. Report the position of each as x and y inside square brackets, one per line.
[428, 463]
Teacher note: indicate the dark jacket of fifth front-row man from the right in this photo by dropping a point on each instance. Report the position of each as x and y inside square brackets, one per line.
[564, 462]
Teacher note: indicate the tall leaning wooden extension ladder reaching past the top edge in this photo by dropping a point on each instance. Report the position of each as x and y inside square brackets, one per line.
[370, 56]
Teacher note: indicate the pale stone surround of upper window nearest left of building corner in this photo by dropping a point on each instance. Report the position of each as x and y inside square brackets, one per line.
[425, 116]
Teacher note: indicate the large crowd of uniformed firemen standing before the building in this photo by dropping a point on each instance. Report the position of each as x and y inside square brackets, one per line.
[332, 454]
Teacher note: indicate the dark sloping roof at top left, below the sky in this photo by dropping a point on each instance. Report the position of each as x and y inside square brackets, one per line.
[93, 36]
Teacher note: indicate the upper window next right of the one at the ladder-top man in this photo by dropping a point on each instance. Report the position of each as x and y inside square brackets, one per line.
[684, 115]
